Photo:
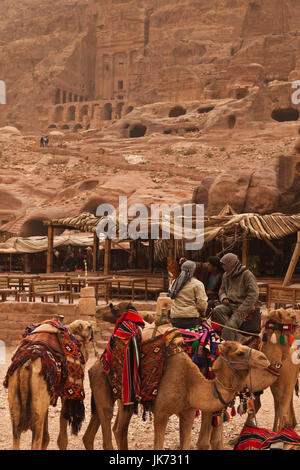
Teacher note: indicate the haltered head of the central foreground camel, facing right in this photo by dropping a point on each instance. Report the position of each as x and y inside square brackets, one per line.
[241, 357]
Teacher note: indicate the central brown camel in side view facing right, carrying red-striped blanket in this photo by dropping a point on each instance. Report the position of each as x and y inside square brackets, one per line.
[182, 390]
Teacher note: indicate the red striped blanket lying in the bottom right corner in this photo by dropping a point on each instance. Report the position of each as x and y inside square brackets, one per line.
[253, 438]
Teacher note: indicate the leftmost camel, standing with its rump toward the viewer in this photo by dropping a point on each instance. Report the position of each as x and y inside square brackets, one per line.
[29, 399]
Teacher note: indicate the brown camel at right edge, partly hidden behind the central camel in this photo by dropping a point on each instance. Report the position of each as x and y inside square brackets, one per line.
[282, 387]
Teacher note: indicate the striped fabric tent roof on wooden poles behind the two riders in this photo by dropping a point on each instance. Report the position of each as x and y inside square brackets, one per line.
[226, 224]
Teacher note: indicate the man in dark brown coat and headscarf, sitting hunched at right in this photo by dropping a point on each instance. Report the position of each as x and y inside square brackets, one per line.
[238, 293]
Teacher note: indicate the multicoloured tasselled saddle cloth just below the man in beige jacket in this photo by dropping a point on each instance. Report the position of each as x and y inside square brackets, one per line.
[202, 345]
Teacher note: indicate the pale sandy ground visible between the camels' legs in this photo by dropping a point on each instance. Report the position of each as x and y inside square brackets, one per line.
[140, 433]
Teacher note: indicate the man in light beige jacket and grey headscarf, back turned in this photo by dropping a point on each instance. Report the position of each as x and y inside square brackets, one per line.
[190, 299]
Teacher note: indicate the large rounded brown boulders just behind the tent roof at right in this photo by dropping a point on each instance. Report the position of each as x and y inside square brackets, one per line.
[261, 191]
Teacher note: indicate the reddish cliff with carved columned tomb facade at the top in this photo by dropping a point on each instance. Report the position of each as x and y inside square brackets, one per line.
[66, 69]
